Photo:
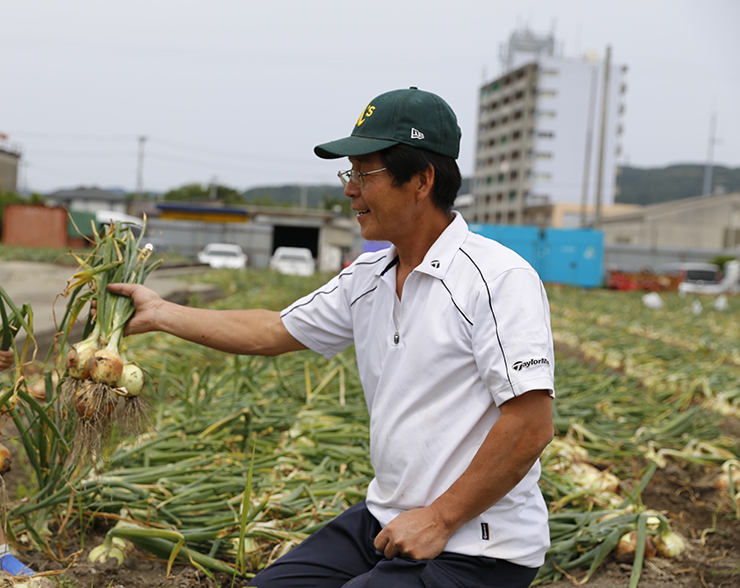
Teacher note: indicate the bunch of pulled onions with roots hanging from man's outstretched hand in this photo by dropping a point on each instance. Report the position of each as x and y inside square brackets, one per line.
[101, 386]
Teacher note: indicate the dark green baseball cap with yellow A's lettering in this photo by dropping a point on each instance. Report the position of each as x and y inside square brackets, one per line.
[412, 117]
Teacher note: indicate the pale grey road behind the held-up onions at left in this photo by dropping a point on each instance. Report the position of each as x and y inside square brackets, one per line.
[41, 284]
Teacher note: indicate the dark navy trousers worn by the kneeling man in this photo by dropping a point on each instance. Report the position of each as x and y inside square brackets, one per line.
[342, 555]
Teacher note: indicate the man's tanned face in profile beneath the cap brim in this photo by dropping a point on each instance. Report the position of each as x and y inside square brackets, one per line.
[384, 211]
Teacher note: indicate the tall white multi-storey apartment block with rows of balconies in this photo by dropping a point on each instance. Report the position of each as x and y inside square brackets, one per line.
[539, 136]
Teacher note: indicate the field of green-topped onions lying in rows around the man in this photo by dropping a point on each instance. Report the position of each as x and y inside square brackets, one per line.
[242, 458]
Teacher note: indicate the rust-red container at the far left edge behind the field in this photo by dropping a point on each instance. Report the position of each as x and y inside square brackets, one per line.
[34, 226]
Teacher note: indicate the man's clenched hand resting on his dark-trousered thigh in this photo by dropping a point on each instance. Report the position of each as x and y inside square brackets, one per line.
[418, 534]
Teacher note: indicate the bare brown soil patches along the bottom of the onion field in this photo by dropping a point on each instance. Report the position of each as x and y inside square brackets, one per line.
[697, 511]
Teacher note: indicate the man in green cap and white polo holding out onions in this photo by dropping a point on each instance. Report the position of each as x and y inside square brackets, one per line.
[454, 350]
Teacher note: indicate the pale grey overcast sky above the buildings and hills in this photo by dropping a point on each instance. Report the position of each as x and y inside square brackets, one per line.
[241, 91]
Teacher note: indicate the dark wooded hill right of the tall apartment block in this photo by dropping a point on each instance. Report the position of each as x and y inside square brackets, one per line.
[653, 185]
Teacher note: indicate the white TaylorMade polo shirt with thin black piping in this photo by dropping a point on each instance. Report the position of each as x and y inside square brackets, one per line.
[471, 331]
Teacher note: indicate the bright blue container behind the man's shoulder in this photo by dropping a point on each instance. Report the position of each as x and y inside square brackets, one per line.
[563, 256]
